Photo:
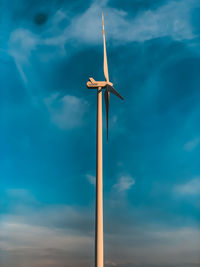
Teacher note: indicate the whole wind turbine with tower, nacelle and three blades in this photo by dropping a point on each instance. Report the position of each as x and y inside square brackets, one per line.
[108, 88]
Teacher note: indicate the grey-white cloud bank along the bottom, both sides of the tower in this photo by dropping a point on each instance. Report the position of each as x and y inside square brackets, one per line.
[50, 235]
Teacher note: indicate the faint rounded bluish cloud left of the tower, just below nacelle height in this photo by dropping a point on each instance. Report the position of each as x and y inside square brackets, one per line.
[66, 112]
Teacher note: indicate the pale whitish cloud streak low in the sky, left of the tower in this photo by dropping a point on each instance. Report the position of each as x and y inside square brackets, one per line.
[22, 235]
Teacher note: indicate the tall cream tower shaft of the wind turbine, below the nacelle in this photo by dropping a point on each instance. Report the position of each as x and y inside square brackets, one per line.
[99, 258]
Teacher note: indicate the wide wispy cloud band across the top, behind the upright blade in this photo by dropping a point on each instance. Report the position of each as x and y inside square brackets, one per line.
[172, 19]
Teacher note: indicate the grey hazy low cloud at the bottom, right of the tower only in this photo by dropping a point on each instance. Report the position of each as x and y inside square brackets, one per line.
[155, 246]
